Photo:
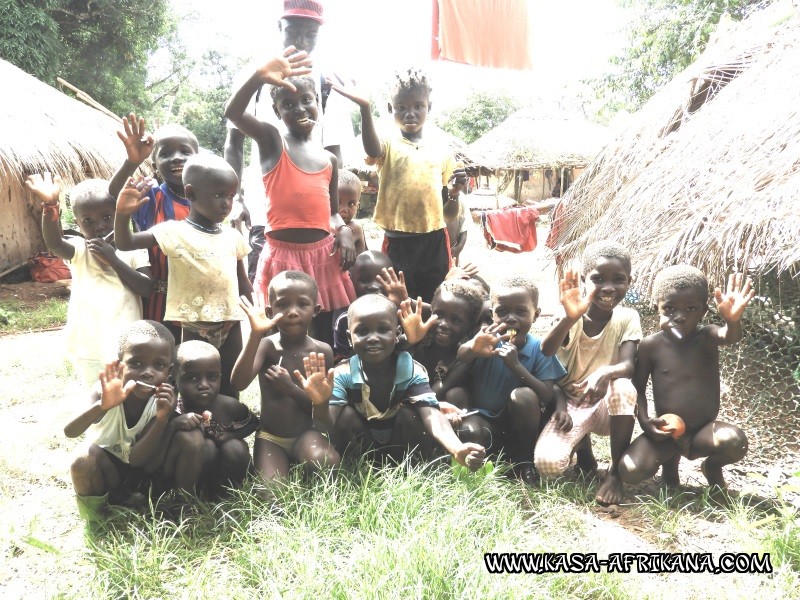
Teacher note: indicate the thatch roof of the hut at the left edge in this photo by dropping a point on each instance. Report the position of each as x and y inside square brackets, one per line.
[45, 130]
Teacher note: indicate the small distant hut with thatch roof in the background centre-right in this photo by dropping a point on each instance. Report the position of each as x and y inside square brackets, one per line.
[539, 155]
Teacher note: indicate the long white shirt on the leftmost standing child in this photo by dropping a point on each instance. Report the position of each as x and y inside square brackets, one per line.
[100, 305]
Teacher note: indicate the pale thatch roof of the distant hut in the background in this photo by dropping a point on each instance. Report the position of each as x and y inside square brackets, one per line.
[527, 141]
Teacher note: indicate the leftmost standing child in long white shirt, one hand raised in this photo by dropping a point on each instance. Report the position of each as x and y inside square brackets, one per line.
[107, 284]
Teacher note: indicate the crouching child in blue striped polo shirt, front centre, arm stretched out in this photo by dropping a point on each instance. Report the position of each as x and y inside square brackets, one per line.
[386, 398]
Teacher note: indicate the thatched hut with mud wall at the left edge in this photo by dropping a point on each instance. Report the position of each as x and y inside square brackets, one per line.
[45, 130]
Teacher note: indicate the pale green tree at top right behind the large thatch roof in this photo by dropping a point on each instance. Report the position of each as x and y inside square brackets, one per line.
[667, 37]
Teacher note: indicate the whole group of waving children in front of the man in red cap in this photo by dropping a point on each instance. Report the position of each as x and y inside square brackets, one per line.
[423, 356]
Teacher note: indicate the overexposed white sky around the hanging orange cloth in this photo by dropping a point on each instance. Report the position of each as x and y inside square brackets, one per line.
[368, 39]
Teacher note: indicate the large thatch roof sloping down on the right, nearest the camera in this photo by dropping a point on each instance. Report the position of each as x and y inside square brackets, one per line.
[708, 172]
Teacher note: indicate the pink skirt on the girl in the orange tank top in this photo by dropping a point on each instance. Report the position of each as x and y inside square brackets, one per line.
[335, 288]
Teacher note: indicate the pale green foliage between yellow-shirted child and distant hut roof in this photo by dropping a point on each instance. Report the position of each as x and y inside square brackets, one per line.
[482, 112]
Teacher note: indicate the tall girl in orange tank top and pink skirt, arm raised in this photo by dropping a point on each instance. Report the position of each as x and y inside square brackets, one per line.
[301, 182]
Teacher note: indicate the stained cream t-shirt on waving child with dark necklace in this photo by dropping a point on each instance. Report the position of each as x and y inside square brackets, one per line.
[202, 284]
